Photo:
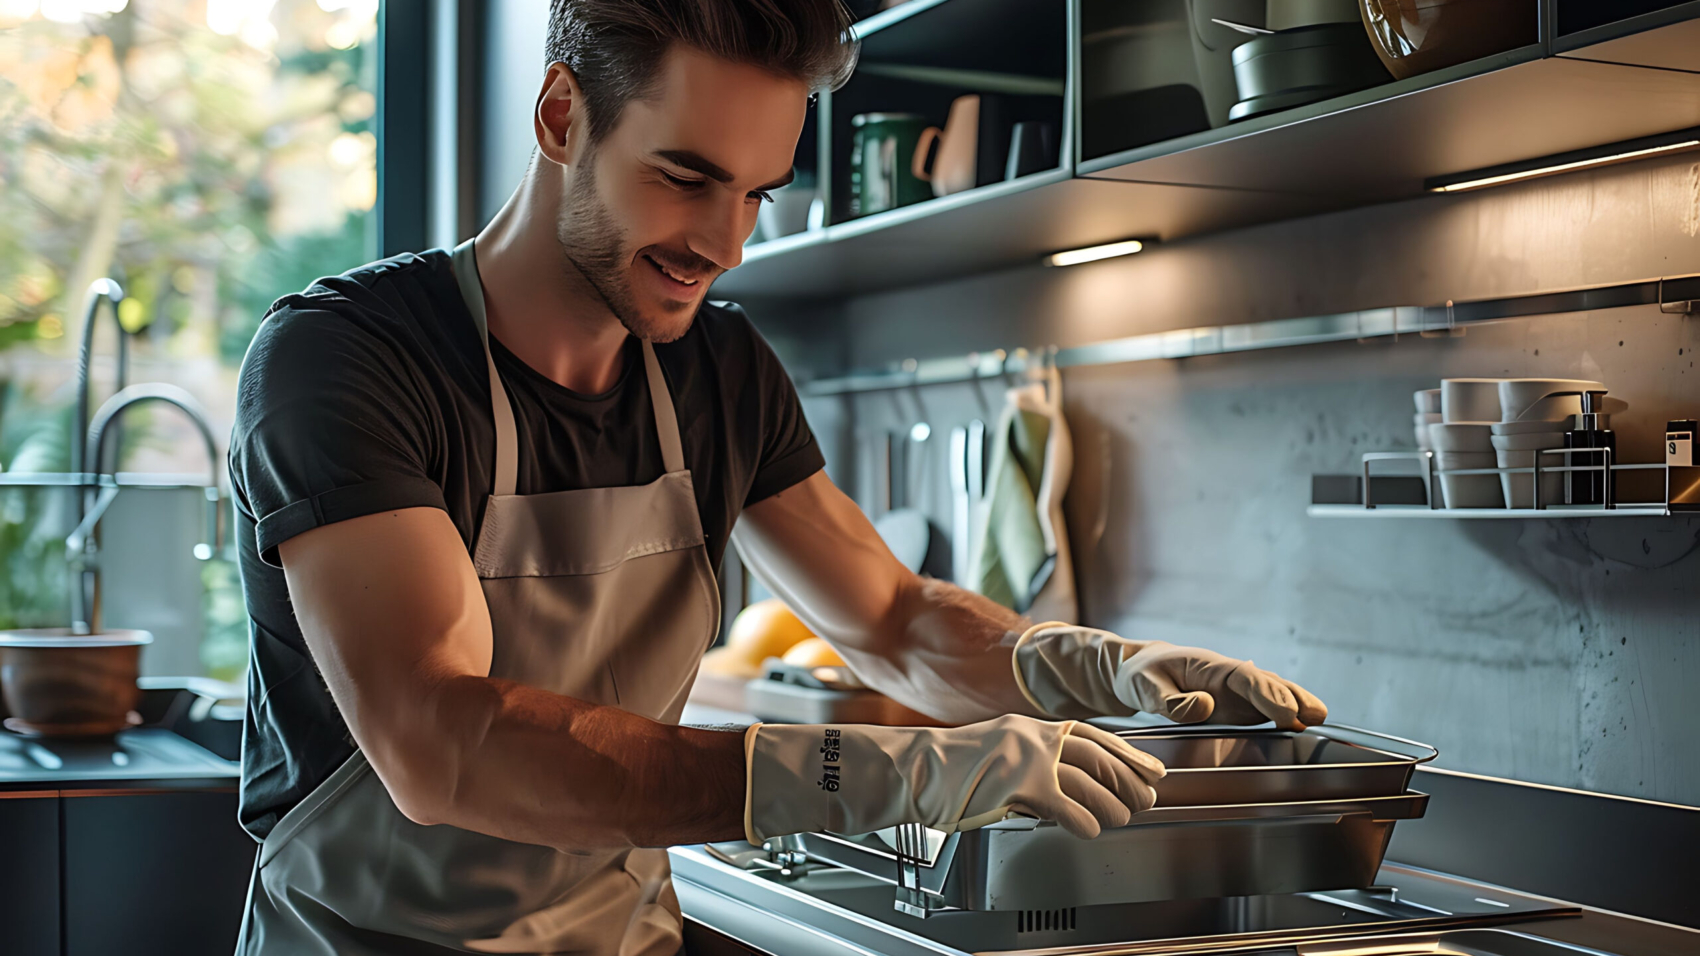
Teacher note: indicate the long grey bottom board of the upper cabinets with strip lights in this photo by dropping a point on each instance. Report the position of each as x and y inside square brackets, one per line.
[1371, 147]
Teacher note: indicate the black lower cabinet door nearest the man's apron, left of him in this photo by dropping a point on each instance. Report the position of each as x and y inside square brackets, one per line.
[154, 873]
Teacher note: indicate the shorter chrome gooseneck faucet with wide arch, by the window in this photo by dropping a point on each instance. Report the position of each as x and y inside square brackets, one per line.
[81, 549]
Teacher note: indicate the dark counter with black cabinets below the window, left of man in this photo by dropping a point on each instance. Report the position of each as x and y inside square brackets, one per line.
[127, 845]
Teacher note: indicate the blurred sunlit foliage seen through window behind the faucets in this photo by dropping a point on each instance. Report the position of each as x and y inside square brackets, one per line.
[212, 156]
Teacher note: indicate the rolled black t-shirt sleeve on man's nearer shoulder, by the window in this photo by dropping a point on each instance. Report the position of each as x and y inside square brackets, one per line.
[331, 426]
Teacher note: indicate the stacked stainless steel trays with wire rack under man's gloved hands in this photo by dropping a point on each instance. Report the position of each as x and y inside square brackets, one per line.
[1240, 814]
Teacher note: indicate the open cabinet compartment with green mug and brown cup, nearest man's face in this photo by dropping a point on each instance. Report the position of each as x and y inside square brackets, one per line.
[955, 105]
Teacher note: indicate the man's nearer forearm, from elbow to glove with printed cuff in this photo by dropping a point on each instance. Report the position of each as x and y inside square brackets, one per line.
[531, 766]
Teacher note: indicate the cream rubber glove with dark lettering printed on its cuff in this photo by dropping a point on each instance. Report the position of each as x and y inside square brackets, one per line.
[859, 778]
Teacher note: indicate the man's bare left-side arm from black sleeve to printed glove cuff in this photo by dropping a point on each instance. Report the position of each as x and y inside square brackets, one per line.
[397, 623]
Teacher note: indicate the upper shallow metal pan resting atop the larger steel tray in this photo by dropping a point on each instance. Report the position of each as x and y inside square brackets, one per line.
[1213, 766]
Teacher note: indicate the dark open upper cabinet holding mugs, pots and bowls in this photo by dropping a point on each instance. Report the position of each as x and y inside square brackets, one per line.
[1177, 118]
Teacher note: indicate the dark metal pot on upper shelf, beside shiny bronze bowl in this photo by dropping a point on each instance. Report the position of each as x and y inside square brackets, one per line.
[1303, 65]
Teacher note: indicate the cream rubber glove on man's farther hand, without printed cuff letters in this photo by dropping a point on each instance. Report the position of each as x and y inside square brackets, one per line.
[1075, 673]
